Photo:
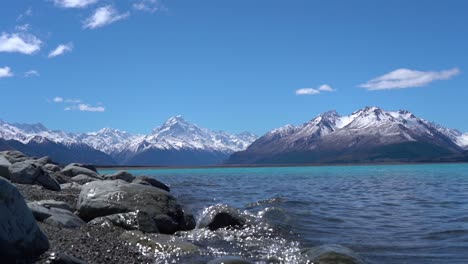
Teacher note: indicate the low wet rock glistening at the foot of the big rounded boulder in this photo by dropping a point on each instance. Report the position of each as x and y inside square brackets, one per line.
[129, 221]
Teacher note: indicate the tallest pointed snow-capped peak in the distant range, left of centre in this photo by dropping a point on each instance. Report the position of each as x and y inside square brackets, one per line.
[178, 135]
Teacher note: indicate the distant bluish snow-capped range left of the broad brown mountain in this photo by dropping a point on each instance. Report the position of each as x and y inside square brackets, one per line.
[176, 142]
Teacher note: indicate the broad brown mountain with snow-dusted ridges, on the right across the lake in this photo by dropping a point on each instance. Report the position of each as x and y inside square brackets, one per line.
[368, 135]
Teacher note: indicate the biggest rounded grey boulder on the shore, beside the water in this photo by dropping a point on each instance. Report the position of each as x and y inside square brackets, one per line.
[103, 198]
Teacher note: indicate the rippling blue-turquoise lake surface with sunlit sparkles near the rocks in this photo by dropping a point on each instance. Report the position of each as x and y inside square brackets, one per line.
[387, 214]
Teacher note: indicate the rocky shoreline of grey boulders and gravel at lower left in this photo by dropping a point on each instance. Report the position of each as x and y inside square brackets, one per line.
[73, 214]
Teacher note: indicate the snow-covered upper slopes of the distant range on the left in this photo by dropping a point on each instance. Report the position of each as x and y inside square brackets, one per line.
[176, 133]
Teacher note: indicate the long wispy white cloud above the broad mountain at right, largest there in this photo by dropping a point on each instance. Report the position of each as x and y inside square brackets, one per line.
[406, 78]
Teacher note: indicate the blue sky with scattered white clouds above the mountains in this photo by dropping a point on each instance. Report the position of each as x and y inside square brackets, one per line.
[229, 65]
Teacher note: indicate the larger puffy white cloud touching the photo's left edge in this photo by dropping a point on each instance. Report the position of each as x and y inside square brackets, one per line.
[22, 43]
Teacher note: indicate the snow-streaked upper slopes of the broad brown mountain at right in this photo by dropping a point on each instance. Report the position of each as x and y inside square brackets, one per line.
[390, 126]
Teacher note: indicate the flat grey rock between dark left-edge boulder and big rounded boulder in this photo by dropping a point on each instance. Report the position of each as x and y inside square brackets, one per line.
[55, 216]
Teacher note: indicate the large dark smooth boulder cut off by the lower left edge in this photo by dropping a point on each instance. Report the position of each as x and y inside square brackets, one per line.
[20, 236]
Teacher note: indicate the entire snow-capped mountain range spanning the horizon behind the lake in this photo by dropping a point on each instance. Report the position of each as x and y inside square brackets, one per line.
[368, 135]
